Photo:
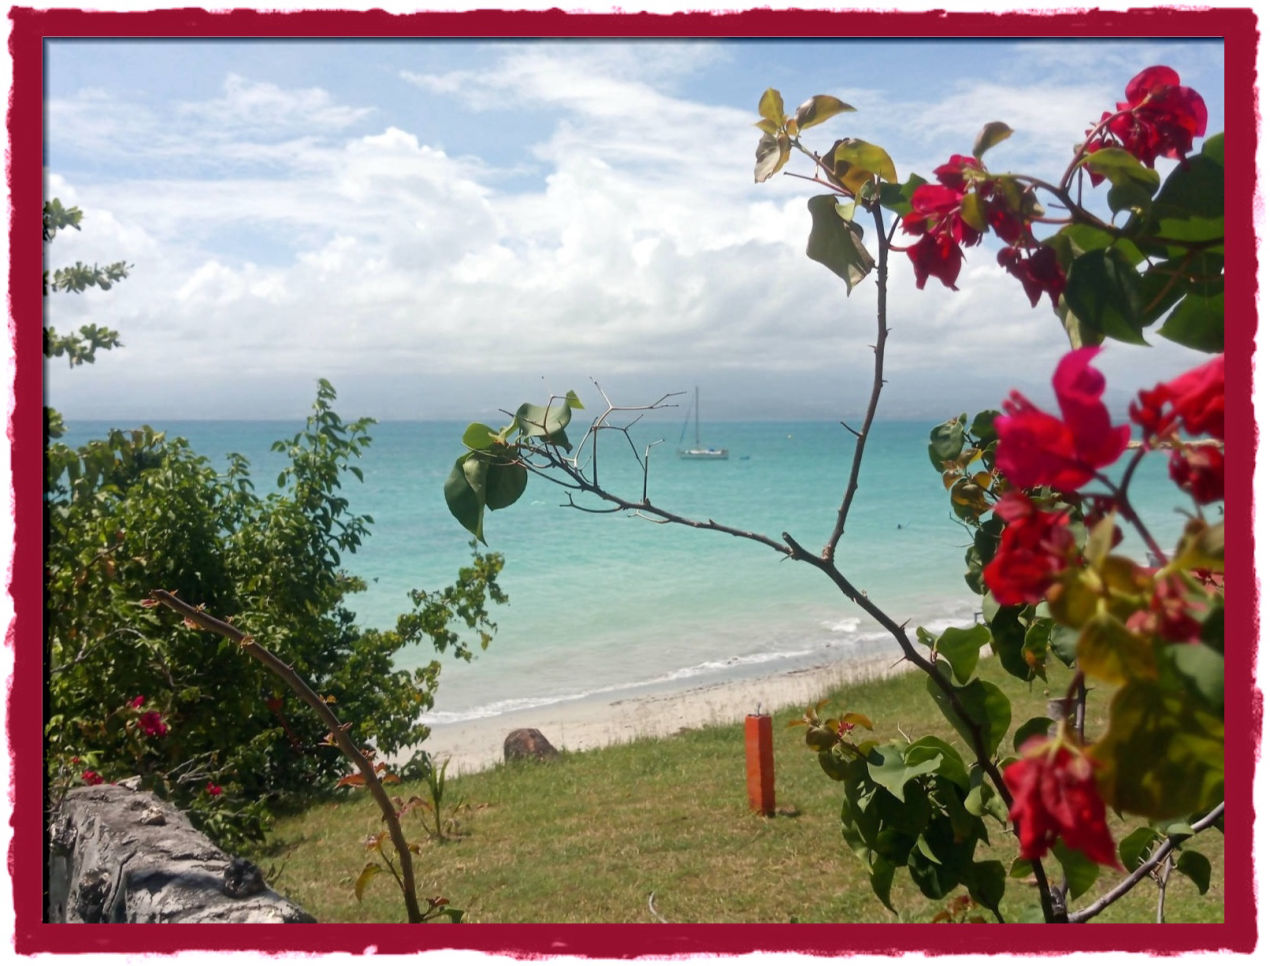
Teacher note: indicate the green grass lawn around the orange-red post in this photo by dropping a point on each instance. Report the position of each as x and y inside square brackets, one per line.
[591, 837]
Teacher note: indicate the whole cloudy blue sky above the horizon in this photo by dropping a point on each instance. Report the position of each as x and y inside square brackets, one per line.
[449, 229]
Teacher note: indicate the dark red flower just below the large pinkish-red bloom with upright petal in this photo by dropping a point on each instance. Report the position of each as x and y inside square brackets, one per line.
[1036, 548]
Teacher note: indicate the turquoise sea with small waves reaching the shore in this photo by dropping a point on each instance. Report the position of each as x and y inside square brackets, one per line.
[614, 605]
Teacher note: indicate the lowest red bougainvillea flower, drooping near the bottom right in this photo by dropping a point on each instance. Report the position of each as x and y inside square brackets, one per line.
[1056, 798]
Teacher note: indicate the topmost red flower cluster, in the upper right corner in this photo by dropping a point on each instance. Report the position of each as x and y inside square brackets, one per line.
[1158, 119]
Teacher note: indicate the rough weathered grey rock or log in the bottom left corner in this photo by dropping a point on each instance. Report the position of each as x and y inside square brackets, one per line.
[124, 856]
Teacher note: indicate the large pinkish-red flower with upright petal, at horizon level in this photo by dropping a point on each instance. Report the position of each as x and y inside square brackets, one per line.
[1037, 449]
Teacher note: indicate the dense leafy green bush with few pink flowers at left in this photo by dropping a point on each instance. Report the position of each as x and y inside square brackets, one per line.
[129, 695]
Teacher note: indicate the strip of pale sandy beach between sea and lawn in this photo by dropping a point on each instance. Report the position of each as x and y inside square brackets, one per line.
[578, 725]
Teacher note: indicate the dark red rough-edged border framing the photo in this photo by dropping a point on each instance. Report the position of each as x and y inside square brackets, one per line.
[1238, 29]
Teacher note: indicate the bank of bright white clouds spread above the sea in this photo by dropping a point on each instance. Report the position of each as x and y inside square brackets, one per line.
[645, 248]
